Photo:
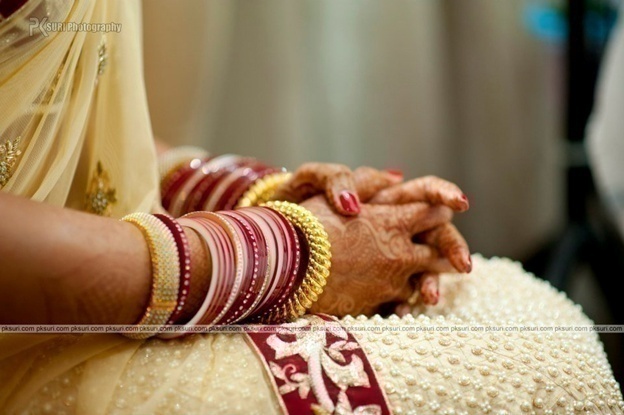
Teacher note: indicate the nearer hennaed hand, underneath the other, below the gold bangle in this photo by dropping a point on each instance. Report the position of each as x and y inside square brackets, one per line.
[374, 256]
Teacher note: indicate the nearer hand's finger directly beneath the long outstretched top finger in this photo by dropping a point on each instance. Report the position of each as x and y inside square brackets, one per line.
[414, 218]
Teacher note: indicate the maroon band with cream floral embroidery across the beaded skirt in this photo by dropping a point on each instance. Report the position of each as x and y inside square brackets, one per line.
[317, 363]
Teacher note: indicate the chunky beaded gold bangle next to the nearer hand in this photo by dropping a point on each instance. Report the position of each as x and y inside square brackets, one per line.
[319, 262]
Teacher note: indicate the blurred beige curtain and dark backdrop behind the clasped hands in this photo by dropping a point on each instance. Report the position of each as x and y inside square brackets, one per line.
[493, 95]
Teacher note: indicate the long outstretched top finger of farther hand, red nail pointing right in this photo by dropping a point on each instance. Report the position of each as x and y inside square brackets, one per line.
[428, 189]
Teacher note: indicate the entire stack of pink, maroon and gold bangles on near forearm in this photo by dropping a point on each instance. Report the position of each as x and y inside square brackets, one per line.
[269, 264]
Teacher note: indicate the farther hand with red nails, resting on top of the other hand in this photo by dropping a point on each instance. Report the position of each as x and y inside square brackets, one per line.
[346, 190]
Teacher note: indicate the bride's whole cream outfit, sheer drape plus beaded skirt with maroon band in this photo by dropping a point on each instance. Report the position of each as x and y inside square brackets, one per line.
[75, 132]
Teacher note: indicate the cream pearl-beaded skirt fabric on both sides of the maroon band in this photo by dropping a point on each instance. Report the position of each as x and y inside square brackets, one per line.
[427, 372]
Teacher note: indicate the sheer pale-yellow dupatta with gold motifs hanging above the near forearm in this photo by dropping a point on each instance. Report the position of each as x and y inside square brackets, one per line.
[74, 123]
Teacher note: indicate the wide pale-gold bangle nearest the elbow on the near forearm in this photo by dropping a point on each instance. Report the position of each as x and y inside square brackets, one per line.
[165, 272]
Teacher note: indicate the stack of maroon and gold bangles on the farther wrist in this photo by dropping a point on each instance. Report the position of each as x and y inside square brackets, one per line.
[193, 181]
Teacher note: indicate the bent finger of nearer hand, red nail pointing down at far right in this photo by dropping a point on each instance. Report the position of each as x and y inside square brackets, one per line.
[447, 239]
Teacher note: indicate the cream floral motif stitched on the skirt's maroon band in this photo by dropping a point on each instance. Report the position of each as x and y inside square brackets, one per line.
[311, 346]
